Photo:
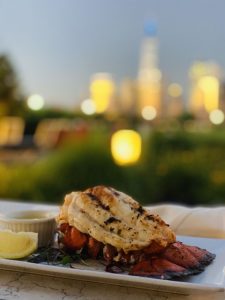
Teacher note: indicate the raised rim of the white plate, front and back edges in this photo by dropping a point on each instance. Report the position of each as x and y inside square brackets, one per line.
[178, 287]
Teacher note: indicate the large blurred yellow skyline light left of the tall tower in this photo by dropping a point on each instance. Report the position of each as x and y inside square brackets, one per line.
[101, 89]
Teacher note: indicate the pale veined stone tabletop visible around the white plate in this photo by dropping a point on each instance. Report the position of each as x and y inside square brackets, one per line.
[21, 285]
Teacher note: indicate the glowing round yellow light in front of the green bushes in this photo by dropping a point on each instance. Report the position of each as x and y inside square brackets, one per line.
[126, 147]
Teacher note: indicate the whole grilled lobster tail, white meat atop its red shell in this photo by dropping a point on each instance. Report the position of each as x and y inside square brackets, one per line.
[107, 223]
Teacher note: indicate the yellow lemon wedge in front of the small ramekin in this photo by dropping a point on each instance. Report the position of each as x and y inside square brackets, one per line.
[15, 245]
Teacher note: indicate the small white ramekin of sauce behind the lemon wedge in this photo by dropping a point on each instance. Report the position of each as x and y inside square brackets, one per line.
[40, 221]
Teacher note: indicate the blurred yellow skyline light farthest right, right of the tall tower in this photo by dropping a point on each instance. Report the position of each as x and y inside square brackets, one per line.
[209, 86]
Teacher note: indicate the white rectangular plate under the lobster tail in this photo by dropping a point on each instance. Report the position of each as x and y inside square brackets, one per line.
[212, 280]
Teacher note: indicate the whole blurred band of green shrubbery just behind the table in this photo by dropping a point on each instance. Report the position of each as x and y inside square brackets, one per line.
[180, 167]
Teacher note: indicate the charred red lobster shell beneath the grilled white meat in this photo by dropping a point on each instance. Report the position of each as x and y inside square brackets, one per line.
[174, 261]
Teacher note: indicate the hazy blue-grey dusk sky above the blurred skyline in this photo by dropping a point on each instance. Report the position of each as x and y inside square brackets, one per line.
[56, 45]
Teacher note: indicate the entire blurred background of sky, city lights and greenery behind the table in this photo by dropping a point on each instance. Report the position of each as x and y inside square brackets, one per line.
[129, 94]
